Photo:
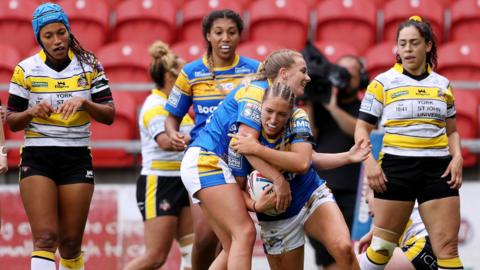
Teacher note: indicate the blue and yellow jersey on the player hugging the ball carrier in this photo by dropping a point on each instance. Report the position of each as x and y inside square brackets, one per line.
[241, 106]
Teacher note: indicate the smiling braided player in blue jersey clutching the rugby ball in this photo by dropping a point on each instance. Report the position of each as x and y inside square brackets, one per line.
[286, 143]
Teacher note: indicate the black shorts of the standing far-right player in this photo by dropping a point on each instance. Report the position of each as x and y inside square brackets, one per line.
[415, 178]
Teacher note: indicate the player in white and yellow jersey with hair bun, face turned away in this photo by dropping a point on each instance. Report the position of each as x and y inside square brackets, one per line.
[161, 197]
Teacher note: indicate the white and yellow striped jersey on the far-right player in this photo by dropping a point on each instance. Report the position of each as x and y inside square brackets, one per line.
[413, 111]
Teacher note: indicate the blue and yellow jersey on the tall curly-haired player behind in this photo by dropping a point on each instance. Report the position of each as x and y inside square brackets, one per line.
[197, 86]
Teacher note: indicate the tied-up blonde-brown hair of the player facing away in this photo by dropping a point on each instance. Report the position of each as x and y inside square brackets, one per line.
[163, 61]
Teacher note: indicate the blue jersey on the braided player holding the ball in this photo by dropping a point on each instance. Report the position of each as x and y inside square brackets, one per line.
[301, 185]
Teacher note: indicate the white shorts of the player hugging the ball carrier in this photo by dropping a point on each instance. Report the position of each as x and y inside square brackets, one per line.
[201, 169]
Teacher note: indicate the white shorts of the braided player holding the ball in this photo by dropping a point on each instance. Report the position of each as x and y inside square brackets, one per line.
[281, 236]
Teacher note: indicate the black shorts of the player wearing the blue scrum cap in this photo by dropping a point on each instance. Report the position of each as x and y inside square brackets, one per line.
[64, 165]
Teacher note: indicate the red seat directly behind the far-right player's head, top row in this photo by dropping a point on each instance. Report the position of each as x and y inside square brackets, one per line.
[397, 11]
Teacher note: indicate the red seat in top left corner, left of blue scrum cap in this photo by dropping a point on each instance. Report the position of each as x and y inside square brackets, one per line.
[16, 24]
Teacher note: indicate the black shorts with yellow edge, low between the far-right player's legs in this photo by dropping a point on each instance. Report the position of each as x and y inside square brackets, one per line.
[420, 253]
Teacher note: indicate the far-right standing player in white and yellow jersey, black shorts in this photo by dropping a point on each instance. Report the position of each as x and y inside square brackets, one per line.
[421, 156]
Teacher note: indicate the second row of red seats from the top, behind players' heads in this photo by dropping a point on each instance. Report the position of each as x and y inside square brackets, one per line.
[129, 61]
